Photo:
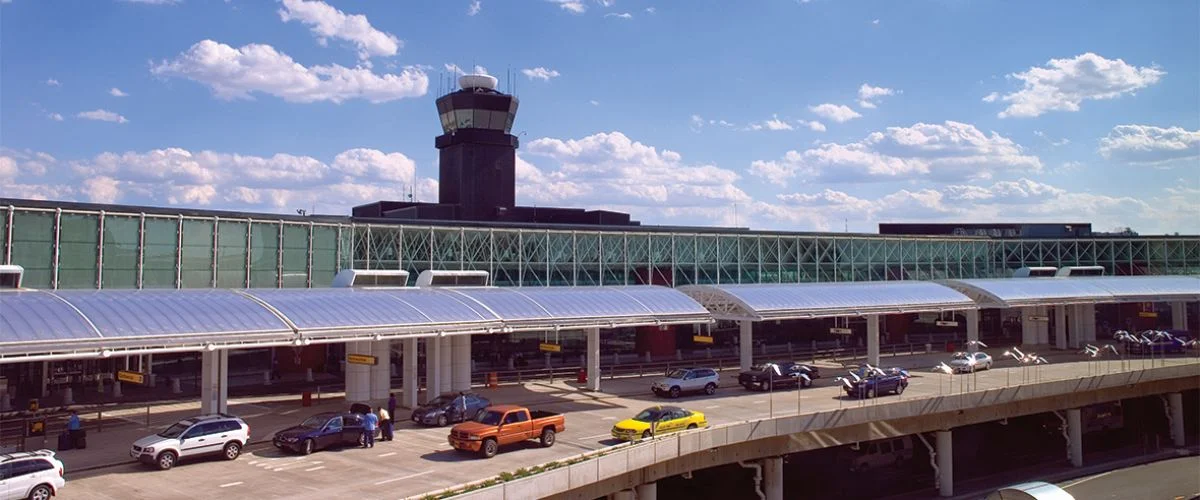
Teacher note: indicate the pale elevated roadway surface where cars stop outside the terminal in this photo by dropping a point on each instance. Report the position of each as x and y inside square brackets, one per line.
[421, 461]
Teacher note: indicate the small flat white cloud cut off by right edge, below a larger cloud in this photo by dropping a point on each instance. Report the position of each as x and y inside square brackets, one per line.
[1147, 144]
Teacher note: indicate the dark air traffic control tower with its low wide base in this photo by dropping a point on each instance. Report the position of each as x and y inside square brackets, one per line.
[477, 166]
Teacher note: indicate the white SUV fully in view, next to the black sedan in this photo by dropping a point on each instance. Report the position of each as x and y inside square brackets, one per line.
[209, 435]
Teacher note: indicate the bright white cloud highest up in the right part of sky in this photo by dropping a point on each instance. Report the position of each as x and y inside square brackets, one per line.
[1064, 85]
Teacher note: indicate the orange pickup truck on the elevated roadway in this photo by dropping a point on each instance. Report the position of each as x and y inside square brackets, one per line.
[506, 425]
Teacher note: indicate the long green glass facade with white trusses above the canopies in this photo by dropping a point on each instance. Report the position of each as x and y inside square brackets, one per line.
[82, 249]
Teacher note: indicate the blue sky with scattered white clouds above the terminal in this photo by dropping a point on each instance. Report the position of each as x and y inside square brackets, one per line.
[803, 116]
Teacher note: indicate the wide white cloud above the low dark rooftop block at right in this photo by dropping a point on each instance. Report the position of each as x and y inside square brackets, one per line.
[940, 152]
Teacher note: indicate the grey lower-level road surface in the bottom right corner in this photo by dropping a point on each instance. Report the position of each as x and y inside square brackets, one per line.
[1168, 480]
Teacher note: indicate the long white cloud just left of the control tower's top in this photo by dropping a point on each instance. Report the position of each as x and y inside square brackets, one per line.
[237, 74]
